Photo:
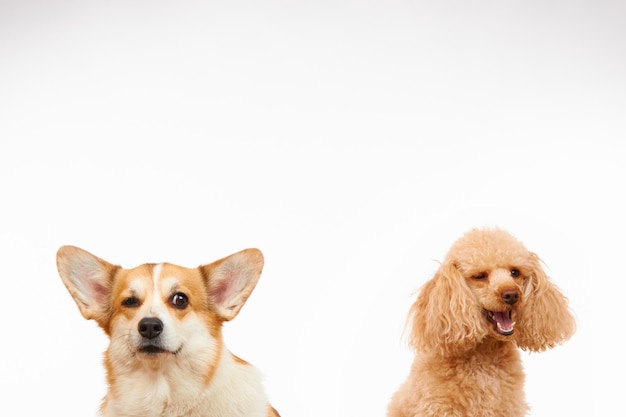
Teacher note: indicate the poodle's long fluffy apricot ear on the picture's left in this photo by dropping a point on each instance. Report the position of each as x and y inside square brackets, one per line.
[445, 317]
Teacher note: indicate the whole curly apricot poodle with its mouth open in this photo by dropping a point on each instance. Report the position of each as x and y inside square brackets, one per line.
[489, 297]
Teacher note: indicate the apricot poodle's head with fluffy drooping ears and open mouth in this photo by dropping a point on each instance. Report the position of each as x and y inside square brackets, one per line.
[489, 285]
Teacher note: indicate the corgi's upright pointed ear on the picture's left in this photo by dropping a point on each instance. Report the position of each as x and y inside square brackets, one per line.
[88, 279]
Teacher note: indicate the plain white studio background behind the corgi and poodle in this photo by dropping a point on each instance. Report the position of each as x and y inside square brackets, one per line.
[351, 141]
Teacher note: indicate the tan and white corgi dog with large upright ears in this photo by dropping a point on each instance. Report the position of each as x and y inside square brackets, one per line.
[166, 355]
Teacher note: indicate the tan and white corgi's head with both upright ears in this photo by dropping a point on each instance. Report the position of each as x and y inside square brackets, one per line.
[156, 313]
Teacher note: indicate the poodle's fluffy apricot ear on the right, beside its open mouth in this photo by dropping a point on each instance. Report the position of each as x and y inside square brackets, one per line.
[546, 320]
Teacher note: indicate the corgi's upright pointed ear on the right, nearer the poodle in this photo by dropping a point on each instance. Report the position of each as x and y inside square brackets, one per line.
[232, 279]
